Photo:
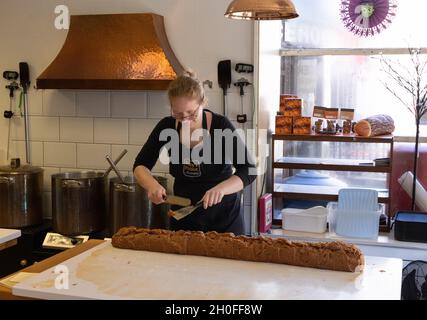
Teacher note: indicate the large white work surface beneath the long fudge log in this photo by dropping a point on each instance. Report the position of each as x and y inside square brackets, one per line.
[104, 272]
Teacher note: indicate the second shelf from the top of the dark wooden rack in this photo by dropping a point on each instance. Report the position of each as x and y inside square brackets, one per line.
[329, 164]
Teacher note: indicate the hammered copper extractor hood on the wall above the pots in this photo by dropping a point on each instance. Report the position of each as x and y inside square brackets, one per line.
[113, 52]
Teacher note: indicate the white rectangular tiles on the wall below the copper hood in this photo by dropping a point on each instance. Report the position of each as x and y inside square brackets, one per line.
[74, 130]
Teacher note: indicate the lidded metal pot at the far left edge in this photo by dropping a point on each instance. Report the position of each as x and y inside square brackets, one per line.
[21, 195]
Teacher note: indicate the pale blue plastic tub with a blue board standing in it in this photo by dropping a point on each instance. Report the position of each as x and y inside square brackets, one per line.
[355, 224]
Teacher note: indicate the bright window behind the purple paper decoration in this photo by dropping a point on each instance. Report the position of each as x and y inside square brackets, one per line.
[327, 65]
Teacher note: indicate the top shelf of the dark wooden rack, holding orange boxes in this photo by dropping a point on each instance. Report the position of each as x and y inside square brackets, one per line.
[334, 138]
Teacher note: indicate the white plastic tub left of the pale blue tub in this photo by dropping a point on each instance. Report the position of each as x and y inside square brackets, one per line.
[310, 220]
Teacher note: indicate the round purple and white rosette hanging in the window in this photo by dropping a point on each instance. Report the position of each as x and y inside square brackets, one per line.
[367, 18]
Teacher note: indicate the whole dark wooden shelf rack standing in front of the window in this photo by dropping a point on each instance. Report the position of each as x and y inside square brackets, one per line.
[310, 192]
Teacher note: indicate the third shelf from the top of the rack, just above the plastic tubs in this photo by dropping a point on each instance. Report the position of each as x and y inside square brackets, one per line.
[308, 192]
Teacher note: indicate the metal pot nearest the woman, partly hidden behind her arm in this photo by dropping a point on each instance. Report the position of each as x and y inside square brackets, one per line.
[129, 206]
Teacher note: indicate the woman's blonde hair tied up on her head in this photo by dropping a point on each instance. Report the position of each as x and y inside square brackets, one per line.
[187, 85]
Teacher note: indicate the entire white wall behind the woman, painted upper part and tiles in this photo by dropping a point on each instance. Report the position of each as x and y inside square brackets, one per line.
[74, 130]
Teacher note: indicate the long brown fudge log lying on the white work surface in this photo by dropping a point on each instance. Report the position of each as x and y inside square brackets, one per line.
[336, 255]
